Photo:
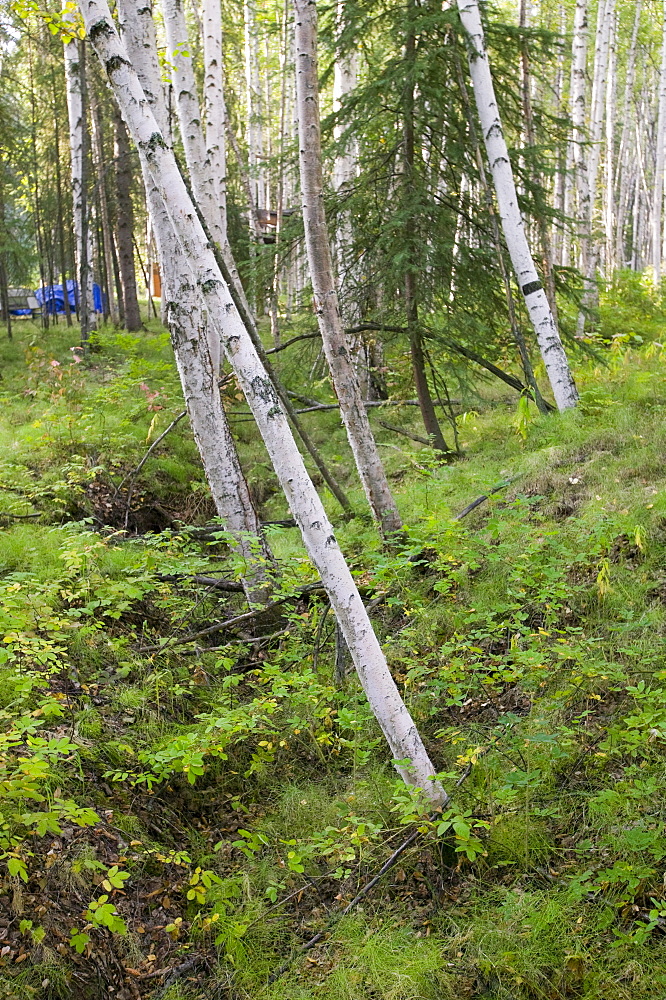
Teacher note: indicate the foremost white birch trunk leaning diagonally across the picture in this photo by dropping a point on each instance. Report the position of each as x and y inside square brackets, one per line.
[405, 743]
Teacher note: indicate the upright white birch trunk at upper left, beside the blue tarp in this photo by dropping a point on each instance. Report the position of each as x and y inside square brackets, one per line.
[75, 111]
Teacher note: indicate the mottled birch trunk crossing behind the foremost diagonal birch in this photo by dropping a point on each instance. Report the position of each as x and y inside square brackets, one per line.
[187, 321]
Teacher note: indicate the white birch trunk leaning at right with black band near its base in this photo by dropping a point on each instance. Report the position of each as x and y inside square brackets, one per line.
[548, 339]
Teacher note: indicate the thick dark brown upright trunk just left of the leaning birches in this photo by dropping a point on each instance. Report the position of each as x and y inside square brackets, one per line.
[125, 224]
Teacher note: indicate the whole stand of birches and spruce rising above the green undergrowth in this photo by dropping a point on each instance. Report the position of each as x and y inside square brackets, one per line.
[442, 188]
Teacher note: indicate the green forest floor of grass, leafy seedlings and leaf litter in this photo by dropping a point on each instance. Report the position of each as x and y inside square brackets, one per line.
[181, 813]
